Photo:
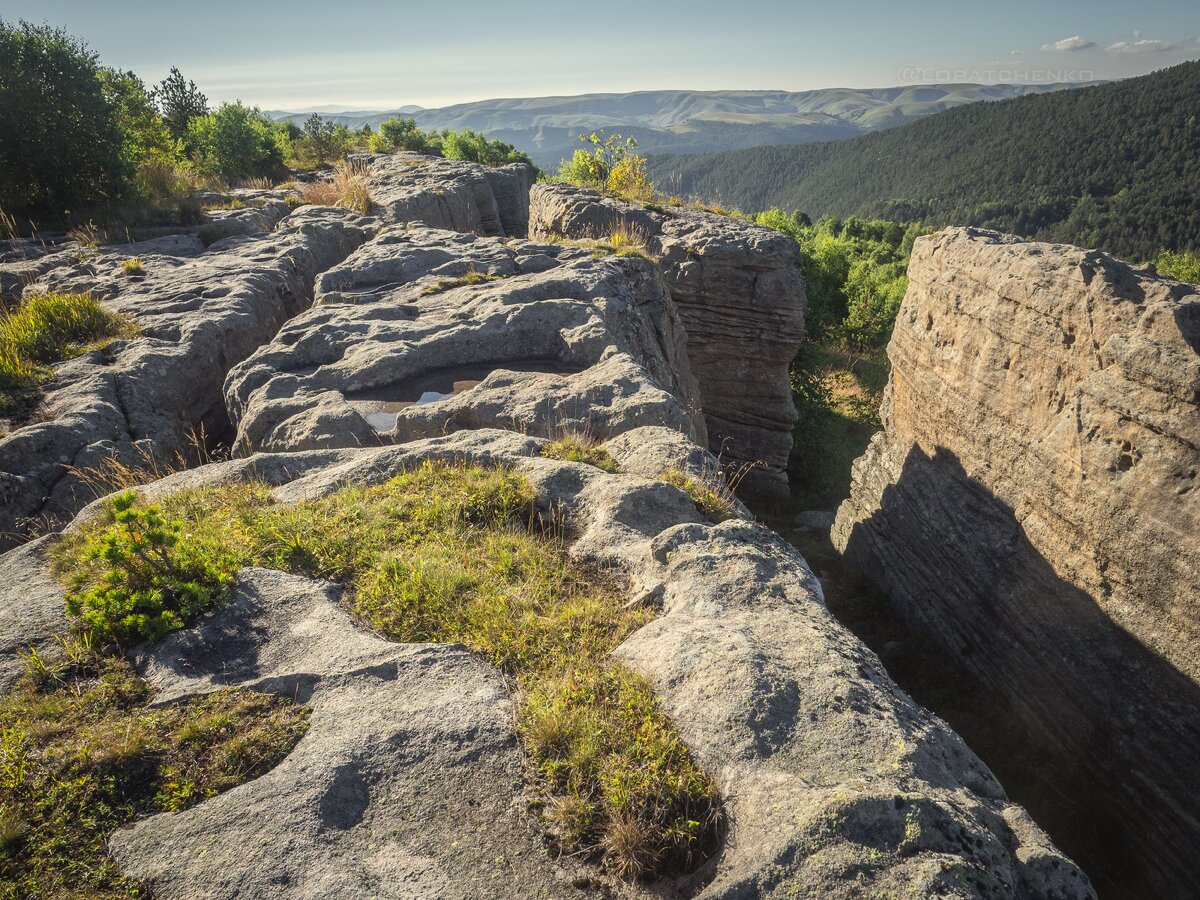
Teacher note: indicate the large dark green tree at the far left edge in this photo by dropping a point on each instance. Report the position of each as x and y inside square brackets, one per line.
[62, 146]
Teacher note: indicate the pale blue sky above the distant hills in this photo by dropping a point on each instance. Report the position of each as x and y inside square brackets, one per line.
[356, 55]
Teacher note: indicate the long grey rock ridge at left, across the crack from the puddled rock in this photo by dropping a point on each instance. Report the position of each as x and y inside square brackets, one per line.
[199, 316]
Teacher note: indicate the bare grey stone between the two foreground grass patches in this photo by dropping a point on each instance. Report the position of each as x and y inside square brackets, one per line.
[407, 784]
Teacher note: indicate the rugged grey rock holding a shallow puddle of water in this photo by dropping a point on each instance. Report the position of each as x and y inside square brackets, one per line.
[551, 340]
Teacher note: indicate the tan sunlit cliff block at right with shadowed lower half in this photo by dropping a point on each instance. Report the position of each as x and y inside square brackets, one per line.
[1035, 502]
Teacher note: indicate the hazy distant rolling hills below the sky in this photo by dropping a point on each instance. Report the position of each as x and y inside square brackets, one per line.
[692, 122]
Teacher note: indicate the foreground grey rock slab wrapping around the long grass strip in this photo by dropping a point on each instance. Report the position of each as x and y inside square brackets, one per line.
[407, 783]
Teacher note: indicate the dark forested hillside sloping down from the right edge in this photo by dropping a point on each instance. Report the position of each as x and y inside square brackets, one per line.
[1115, 166]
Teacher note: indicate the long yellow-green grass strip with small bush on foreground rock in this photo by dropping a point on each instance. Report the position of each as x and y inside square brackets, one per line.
[442, 554]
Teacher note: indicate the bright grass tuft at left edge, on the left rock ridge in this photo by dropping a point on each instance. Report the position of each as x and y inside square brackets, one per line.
[47, 329]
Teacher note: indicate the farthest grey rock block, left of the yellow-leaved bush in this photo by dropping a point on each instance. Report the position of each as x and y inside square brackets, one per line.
[452, 195]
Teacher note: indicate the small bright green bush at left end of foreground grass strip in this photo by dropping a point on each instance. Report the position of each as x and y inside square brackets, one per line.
[139, 580]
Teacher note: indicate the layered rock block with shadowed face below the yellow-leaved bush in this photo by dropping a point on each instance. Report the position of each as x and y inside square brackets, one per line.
[741, 297]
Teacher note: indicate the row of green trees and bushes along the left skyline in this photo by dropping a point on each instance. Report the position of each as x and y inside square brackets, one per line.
[81, 140]
